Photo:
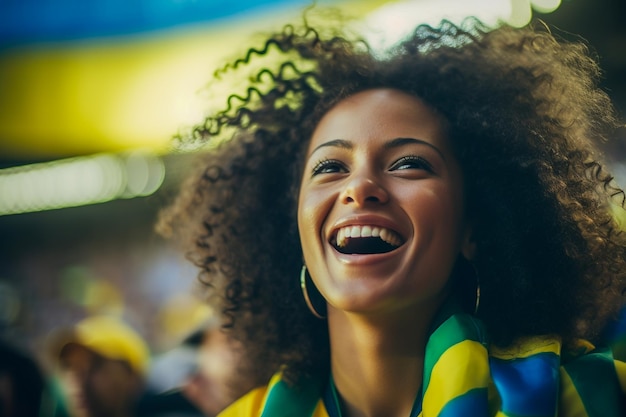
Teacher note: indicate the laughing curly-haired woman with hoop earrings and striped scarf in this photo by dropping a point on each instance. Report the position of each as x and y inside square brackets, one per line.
[443, 212]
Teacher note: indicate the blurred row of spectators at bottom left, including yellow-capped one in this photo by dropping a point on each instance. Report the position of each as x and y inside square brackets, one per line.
[101, 366]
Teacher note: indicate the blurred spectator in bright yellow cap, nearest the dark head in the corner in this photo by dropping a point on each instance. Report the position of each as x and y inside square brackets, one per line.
[103, 363]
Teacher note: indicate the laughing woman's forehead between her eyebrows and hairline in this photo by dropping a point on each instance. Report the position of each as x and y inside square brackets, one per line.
[380, 114]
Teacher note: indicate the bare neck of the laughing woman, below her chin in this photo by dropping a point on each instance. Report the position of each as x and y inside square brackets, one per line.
[377, 363]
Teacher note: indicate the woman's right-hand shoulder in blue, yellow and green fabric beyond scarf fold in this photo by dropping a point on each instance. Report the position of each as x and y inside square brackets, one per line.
[529, 375]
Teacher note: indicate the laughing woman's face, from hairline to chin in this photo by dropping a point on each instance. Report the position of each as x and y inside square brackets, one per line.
[380, 210]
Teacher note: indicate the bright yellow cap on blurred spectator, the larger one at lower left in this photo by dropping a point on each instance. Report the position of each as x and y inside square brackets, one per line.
[109, 337]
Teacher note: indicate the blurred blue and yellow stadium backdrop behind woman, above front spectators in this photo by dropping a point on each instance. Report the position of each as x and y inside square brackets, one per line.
[91, 93]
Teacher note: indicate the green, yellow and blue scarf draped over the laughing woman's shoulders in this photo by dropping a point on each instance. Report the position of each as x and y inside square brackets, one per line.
[465, 377]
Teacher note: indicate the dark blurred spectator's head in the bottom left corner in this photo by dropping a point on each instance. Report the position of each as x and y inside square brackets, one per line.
[22, 384]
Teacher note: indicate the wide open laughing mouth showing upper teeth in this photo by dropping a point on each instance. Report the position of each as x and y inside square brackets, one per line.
[365, 240]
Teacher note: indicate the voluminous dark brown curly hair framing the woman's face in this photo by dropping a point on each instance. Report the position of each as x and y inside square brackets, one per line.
[525, 115]
